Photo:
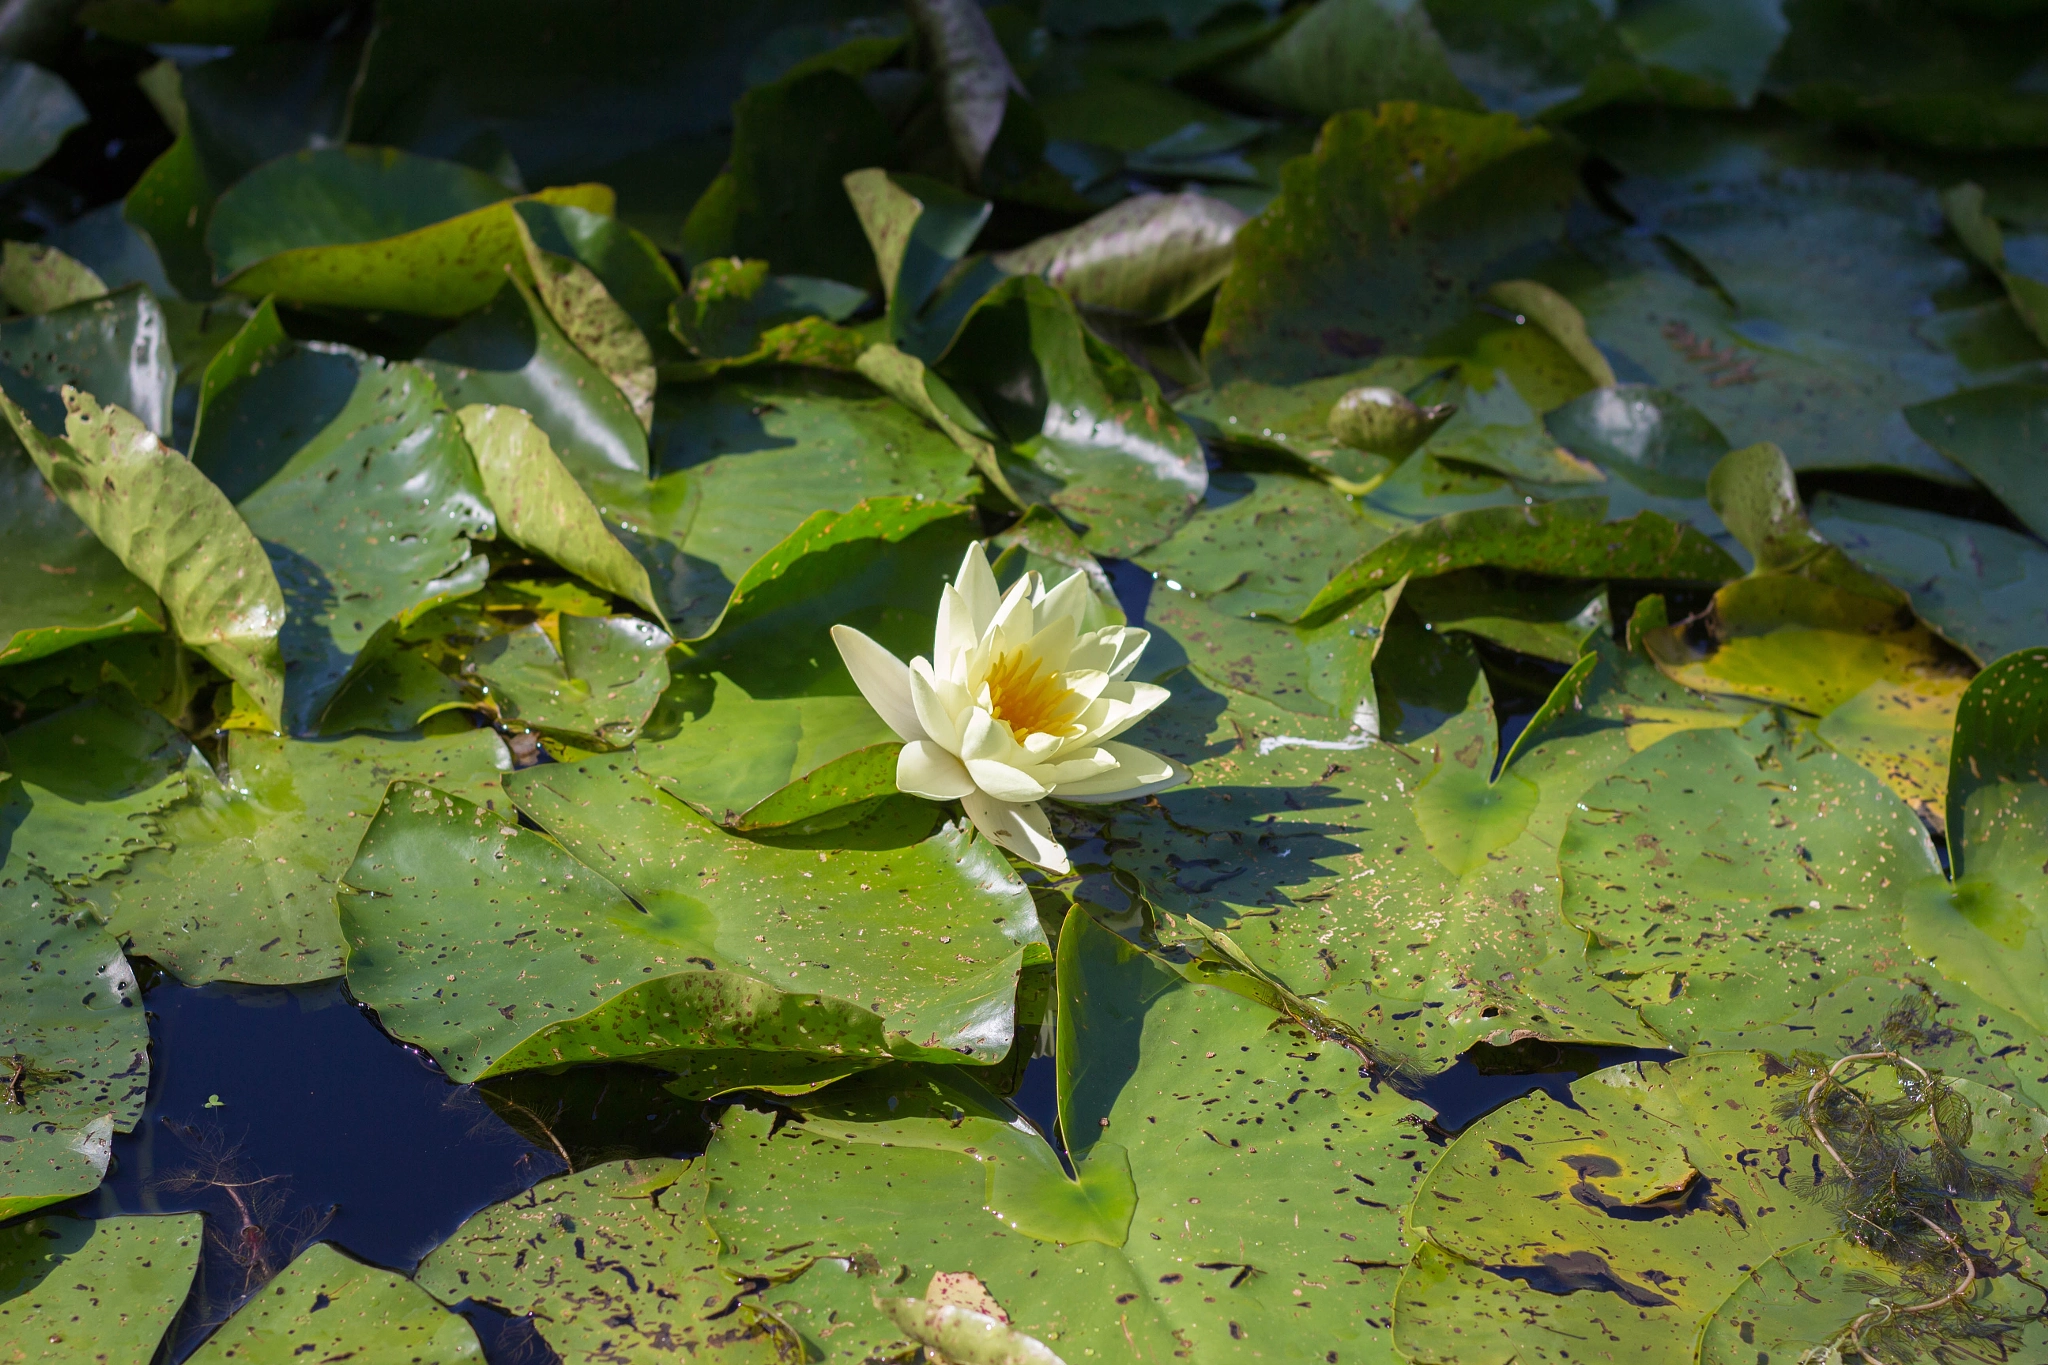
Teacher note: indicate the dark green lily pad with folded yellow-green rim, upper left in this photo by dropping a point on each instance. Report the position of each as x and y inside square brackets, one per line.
[374, 228]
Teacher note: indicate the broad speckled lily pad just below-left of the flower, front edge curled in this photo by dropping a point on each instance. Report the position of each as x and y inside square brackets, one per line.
[540, 1002]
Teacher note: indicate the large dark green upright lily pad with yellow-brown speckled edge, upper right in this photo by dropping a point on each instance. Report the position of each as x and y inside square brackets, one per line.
[1345, 265]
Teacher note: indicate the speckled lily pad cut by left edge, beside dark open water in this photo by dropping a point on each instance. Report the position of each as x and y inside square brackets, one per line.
[77, 1049]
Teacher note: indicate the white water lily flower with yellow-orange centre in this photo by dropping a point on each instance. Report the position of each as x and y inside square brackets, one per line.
[1023, 699]
